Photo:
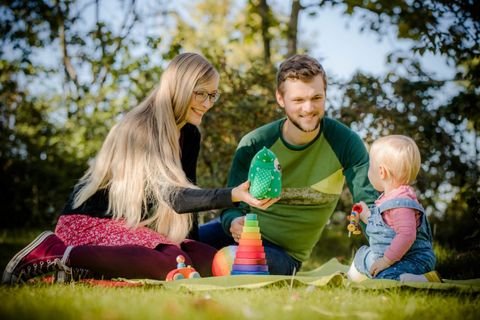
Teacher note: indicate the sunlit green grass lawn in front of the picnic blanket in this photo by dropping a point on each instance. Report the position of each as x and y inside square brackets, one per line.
[82, 301]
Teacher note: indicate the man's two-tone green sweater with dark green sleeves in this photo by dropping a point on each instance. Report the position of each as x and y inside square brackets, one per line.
[313, 176]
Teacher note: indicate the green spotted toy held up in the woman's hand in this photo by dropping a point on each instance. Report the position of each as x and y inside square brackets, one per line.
[265, 175]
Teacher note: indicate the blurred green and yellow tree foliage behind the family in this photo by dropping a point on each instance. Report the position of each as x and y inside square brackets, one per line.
[68, 71]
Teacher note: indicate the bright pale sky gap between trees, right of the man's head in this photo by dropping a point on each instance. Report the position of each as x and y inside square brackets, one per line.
[335, 39]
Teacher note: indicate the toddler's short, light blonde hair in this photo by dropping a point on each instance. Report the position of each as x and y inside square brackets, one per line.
[399, 155]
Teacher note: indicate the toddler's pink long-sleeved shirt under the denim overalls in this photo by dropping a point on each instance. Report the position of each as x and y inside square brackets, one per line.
[403, 221]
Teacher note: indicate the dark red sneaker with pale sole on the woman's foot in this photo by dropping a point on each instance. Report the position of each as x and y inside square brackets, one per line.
[47, 253]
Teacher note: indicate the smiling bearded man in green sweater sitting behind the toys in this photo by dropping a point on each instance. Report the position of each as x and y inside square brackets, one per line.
[316, 154]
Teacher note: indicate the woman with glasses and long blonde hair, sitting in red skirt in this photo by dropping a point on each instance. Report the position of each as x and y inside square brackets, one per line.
[131, 213]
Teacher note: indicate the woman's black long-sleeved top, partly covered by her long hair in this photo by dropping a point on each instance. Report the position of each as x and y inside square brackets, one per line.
[185, 200]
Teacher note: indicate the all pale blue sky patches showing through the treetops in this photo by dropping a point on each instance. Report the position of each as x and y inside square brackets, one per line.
[331, 37]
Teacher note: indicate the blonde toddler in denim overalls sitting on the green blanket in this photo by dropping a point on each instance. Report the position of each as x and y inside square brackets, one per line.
[400, 239]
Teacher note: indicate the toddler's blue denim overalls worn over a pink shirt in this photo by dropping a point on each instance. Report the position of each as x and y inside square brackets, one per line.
[419, 259]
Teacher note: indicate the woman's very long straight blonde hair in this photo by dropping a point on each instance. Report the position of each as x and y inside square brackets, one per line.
[139, 162]
